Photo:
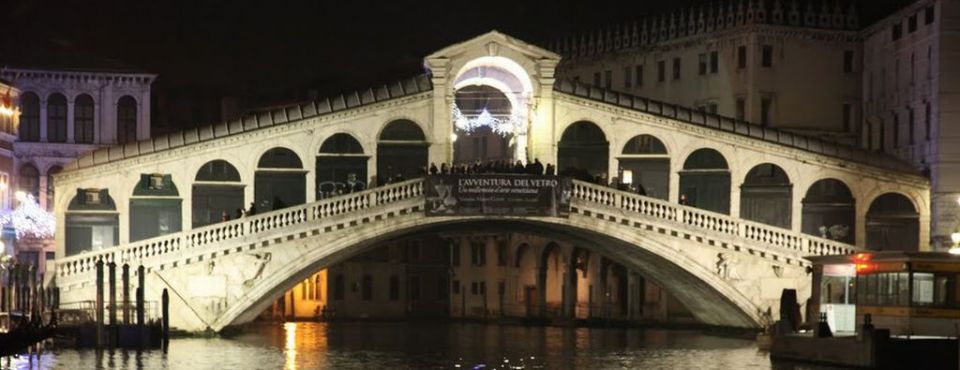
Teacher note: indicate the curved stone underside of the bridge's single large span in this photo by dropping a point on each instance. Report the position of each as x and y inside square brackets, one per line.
[709, 298]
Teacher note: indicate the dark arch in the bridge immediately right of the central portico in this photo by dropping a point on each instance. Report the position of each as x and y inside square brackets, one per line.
[583, 151]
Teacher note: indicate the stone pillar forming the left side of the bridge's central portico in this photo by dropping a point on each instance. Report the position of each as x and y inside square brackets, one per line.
[439, 130]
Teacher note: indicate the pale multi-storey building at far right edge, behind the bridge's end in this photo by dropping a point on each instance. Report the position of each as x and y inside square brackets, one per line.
[911, 92]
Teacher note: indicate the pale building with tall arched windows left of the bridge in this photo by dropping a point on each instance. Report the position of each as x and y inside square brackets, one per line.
[64, 114]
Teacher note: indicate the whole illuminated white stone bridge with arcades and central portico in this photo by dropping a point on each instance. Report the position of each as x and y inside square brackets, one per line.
[727, 213]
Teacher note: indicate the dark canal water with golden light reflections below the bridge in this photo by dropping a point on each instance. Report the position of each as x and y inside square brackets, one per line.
[424, 345]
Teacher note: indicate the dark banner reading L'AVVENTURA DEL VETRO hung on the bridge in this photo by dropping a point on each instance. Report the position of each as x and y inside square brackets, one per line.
[497, 194]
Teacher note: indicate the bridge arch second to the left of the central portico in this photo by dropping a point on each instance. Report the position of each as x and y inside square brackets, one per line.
[341, 166]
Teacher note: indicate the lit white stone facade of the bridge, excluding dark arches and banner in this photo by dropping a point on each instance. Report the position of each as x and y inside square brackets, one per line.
[726, 270]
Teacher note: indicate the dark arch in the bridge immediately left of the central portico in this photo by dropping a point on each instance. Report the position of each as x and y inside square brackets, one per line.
[401, 151]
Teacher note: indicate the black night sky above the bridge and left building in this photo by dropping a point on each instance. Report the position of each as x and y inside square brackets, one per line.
[274, 51]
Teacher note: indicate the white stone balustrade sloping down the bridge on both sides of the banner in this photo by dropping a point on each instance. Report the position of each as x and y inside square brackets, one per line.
[583, 193]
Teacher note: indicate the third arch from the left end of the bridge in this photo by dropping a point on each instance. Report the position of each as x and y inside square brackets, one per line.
[217, 190]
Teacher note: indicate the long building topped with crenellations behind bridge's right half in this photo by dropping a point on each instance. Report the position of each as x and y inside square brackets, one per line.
[766, 62]
